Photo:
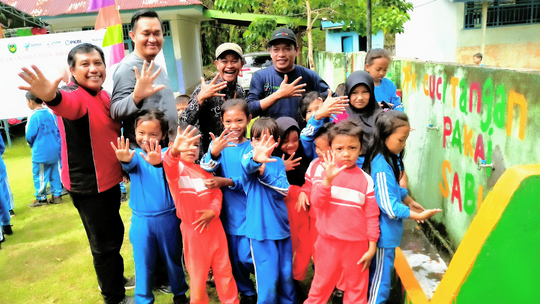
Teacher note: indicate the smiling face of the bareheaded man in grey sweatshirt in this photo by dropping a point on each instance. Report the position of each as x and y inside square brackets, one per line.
[148, 38]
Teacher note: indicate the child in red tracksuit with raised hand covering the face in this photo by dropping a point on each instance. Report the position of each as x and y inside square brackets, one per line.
[205, 244]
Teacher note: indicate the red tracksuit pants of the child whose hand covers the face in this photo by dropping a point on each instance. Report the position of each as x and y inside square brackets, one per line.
[205, 250]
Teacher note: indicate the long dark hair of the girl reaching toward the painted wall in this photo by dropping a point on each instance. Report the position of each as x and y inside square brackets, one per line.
[386, 124]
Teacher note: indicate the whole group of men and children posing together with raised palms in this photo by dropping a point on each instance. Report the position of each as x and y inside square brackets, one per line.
[317, 179]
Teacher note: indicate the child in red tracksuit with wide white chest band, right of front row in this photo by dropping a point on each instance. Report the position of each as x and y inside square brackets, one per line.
[347, 219]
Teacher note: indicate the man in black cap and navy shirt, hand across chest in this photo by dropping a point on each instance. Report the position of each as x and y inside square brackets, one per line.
[276, 91]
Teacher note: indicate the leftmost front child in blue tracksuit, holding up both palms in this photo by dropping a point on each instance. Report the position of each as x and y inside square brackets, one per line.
[154, 225]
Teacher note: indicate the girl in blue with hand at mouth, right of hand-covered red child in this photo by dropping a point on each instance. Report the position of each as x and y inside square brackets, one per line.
[224, 157]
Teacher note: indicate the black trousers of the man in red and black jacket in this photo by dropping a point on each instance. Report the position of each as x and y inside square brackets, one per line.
[100, 214]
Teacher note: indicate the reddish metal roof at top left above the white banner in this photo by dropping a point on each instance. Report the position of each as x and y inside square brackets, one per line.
[66, 7]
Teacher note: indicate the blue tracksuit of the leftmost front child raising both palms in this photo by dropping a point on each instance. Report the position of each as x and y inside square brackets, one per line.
[155, 228]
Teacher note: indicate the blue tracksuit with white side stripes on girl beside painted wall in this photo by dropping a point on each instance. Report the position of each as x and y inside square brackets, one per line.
[389, 196]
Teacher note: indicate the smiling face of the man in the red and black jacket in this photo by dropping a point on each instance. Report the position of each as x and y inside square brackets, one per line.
[89, 70]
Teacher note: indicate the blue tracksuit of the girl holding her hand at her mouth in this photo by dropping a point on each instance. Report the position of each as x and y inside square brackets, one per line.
[233, 212]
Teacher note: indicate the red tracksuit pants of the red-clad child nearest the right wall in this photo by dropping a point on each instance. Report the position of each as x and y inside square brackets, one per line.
[338, 259]
